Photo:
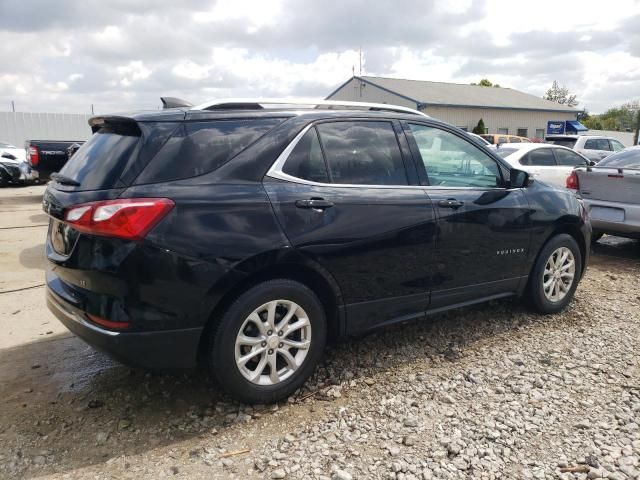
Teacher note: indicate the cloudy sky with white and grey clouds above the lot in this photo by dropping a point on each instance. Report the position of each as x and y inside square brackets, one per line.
[120, 55]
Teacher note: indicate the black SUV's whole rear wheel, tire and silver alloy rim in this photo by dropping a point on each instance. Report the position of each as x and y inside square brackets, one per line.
[225, 344]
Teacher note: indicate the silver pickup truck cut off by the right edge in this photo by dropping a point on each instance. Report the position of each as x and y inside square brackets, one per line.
[611, 191]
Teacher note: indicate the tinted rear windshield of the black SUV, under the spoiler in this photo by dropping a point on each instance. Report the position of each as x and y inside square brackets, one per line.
[99, 163]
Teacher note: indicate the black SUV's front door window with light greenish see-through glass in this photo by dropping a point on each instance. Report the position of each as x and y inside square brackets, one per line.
[453, 162]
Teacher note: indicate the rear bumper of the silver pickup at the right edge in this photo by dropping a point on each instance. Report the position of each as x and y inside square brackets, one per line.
[624, 219]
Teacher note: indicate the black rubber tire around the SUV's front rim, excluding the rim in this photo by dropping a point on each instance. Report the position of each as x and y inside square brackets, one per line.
[536, 292]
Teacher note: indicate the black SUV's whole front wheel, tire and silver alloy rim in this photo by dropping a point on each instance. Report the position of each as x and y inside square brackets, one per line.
[541, 298]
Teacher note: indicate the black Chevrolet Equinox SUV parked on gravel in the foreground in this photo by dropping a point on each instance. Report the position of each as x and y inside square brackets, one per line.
[246, 237]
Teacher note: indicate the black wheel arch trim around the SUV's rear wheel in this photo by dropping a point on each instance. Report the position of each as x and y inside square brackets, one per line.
[290, 265]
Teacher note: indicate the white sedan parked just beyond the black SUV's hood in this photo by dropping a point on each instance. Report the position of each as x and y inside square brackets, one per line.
[546, 162]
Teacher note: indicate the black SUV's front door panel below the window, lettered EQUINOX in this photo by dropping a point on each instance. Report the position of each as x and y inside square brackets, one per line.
[482, 245]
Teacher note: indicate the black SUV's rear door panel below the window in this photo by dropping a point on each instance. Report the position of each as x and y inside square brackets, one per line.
[378, 243]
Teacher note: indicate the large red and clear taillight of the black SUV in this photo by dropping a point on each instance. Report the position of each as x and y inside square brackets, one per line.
[130, 218]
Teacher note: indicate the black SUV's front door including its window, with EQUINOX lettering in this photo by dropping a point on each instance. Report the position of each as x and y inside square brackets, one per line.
[483, 229]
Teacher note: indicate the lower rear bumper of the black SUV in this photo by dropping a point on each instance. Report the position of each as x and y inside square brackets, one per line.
[156, 350]
